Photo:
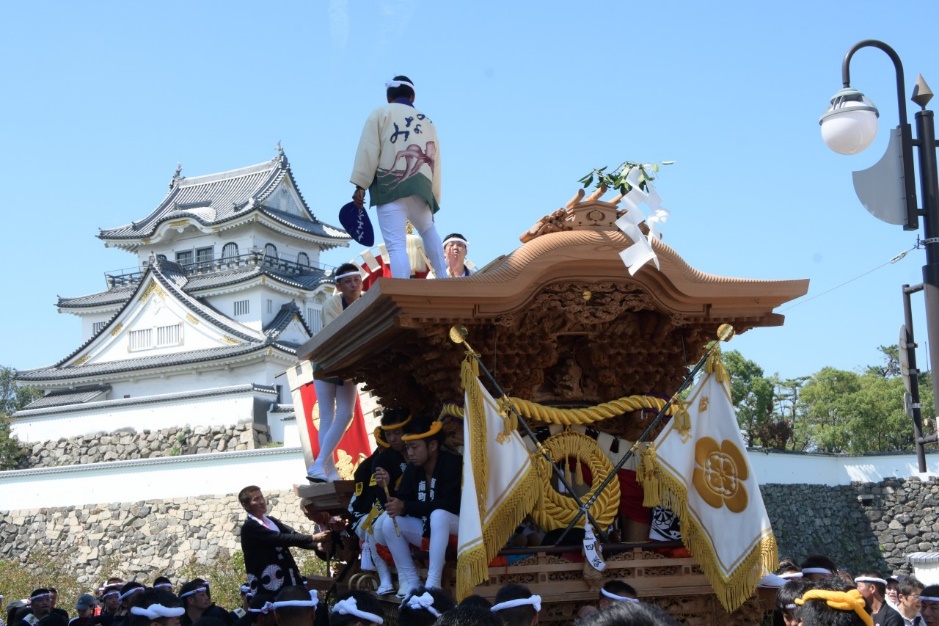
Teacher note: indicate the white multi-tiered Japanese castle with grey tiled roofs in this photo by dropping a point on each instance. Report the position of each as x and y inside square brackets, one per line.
[228, 285]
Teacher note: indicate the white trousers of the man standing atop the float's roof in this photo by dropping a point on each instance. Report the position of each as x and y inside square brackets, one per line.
[392, 220]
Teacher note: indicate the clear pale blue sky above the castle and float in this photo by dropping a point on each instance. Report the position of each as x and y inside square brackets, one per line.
[103, 99]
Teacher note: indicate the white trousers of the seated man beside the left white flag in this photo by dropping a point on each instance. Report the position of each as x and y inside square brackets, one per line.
[442, 525]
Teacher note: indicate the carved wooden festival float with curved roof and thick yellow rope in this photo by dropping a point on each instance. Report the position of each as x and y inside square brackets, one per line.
[562, 323]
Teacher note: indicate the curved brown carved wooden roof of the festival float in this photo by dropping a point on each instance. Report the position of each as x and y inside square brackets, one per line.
[558, 320]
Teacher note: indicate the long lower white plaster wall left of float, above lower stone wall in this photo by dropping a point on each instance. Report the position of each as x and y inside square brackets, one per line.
[167, 478]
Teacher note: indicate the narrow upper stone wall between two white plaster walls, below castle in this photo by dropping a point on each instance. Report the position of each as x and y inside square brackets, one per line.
[126, 444]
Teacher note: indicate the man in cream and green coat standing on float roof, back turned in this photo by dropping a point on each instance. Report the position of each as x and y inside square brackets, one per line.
[398, 161]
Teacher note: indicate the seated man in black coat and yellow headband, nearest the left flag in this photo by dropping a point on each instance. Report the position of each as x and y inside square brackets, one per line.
[426, 505]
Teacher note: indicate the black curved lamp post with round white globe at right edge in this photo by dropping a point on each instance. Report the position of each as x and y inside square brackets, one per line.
[888, 189]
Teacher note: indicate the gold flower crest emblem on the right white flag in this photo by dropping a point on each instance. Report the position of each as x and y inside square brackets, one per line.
[719, 472]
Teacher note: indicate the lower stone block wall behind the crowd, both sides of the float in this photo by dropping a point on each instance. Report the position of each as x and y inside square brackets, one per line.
[861, 526]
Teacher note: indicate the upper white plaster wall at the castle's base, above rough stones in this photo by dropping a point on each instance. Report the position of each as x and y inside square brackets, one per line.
[110, 415]
